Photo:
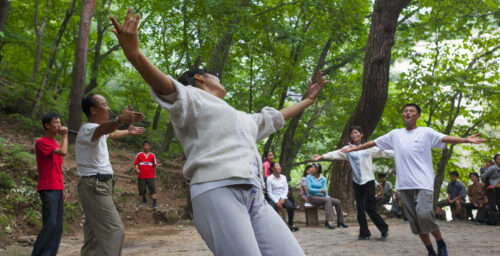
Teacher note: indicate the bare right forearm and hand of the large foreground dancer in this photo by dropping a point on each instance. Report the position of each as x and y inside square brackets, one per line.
[313, 91]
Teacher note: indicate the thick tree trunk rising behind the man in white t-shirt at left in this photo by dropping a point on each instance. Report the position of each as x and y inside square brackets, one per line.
[80, 68]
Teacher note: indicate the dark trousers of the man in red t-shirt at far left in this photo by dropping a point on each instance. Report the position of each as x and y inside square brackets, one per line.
[47, 241]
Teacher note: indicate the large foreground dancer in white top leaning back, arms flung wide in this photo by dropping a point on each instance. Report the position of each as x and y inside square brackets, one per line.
[223, 163]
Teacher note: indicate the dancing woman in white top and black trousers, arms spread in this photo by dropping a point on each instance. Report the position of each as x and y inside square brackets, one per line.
[363, 181]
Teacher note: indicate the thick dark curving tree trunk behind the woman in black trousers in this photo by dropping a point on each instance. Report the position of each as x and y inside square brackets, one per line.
[374, 93]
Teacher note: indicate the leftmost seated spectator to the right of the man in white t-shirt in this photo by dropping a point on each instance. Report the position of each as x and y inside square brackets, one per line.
[456, 196]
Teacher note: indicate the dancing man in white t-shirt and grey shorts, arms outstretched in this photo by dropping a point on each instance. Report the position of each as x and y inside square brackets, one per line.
[414, 171]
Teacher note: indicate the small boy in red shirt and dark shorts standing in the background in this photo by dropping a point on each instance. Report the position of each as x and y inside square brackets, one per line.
[145, 165]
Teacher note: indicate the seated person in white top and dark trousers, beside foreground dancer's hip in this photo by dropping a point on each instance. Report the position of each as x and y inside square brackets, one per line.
[277, 190]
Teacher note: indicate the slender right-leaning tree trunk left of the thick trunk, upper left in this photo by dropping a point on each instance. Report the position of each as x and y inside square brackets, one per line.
[52, 58]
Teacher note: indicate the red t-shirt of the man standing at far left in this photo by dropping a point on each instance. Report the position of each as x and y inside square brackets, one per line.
[49, 165]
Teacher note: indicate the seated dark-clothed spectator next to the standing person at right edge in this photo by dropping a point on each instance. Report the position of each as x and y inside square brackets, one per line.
[477, 198]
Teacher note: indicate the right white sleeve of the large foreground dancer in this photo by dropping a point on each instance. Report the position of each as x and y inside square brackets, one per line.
[268, 121]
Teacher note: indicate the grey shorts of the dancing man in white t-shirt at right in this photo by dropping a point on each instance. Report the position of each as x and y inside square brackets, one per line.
[417, 206]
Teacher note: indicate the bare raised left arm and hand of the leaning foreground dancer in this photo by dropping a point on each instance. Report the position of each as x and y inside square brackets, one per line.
[127, 35]
